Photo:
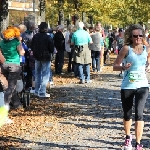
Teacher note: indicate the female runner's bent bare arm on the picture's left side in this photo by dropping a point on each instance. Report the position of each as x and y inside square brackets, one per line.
[119, 59]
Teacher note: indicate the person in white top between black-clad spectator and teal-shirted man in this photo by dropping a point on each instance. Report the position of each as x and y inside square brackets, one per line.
[68, 48]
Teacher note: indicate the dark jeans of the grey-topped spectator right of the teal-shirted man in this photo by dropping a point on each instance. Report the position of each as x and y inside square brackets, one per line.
[95, 60]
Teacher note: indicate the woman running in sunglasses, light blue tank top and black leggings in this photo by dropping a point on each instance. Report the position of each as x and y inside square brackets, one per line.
[135, 83]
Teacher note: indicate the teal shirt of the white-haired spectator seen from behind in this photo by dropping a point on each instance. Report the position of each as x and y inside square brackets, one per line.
[81, 37]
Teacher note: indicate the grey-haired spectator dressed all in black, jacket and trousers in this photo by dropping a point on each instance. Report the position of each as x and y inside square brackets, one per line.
[59, 43]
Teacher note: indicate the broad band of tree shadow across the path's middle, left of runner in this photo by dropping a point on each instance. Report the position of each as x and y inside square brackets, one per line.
[76, 100]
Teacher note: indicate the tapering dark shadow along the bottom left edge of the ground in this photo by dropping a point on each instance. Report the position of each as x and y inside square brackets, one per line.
[36, 145]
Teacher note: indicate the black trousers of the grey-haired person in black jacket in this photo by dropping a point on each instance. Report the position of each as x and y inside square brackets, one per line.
[59, 62]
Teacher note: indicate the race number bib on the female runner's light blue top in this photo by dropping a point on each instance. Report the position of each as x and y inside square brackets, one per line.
[136, 76]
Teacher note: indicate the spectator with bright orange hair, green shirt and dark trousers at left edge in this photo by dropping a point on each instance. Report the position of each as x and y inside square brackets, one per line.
[11, 49]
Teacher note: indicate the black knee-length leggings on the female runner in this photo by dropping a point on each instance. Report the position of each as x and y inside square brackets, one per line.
[127, 96]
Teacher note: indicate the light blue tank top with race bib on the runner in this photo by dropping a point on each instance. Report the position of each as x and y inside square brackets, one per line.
[135, 76]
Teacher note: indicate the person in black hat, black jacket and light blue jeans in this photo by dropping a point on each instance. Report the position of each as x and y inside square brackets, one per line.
[43, 47]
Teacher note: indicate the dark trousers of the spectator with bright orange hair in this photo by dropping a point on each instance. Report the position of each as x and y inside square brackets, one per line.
[12, 73]
